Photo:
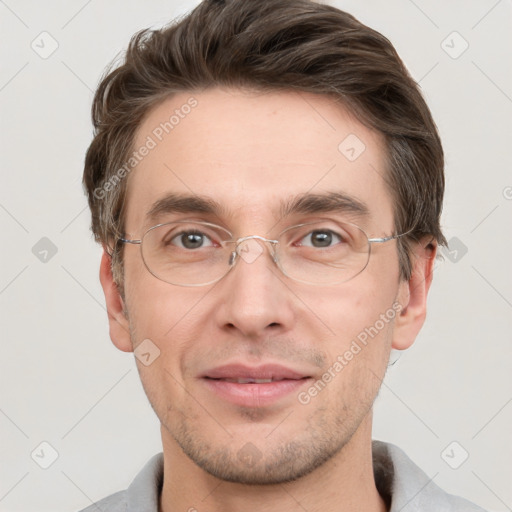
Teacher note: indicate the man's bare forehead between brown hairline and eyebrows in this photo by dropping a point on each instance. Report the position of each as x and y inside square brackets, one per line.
[252, 153]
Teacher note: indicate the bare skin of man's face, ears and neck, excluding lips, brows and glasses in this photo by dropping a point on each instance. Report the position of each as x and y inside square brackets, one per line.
[247, 151]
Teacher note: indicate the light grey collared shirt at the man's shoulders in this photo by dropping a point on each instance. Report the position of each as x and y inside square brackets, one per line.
[402, 484]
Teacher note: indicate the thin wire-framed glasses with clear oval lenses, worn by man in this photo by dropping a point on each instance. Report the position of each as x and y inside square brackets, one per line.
[193, 253]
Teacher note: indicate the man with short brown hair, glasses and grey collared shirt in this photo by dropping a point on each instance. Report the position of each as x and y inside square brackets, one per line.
[267, 181]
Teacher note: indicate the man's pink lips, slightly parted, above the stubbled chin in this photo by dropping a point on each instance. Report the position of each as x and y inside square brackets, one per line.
[286, 381]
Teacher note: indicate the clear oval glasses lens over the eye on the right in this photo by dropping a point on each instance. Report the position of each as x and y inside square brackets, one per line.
[323, 252]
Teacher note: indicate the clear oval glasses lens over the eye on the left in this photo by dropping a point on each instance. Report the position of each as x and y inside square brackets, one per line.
[186, 253]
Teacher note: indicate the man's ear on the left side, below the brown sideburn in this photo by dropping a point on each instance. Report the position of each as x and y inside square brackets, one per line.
[117, 319]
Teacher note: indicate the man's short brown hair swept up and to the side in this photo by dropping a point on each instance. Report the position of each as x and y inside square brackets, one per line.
[296, 45]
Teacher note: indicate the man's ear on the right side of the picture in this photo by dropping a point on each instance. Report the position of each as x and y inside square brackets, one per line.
[412, 295]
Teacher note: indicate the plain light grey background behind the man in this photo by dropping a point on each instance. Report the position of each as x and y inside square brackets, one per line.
[61, 379]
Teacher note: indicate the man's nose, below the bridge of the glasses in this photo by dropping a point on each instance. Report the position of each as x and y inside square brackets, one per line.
[254, 299]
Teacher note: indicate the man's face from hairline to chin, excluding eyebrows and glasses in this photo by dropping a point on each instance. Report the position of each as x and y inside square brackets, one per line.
[250, 153]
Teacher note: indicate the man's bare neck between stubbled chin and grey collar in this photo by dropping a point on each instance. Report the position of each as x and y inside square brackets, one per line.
[344, 482]
